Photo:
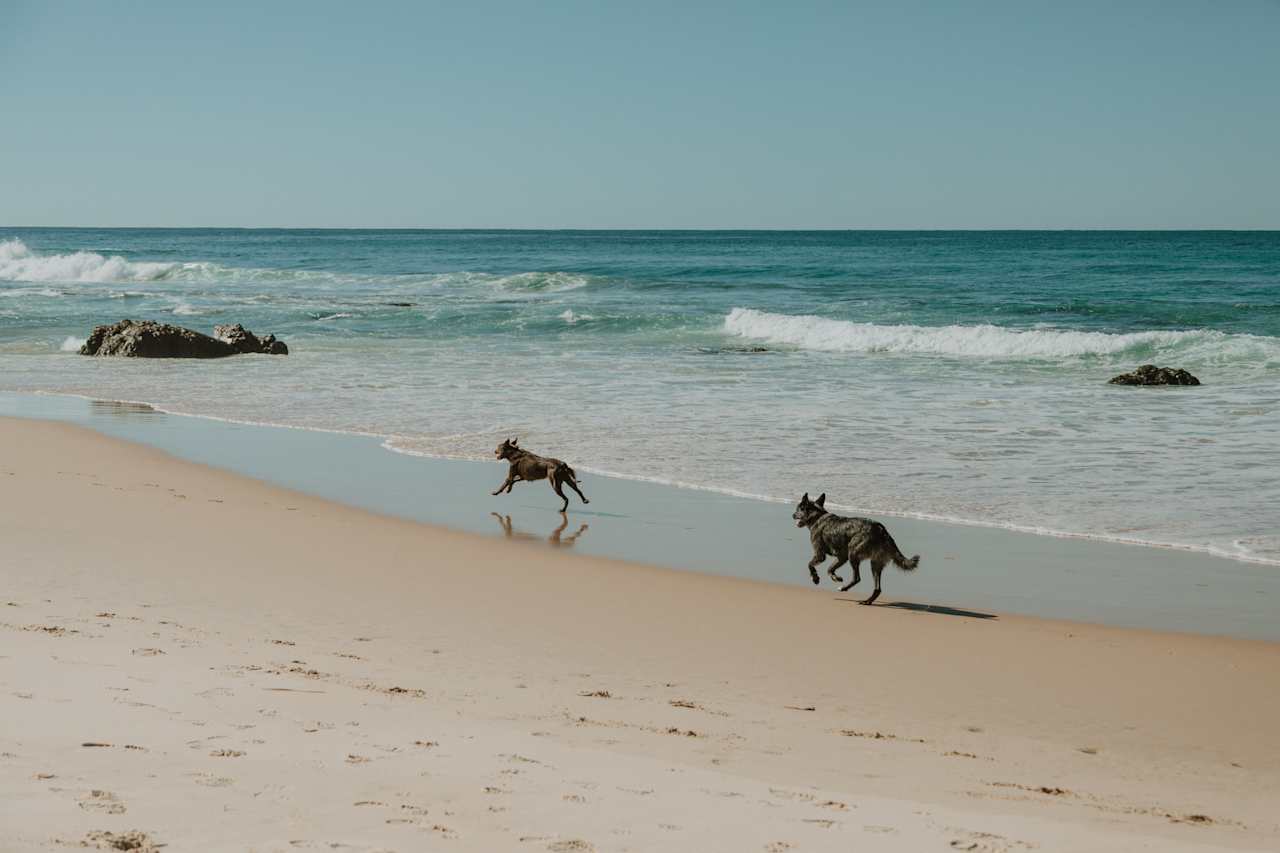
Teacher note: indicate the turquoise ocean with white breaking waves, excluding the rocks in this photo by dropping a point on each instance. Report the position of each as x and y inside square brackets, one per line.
[958, 376]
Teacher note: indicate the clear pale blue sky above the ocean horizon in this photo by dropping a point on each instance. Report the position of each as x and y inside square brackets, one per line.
[642, 115]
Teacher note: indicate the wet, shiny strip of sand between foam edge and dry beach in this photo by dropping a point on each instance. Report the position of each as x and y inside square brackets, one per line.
[963, 567]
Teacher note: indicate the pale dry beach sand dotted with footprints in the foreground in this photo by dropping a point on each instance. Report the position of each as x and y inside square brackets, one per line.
[223, 665]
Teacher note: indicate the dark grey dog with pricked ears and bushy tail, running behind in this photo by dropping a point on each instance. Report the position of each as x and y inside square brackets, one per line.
[848, 540]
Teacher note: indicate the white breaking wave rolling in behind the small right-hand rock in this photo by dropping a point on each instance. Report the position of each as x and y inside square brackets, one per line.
[984, 341]
